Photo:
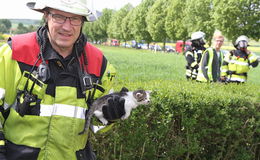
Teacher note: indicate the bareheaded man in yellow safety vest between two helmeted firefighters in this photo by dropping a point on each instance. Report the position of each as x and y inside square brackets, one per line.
[211, 61]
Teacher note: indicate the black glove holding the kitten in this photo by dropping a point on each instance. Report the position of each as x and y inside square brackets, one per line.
[115, 108]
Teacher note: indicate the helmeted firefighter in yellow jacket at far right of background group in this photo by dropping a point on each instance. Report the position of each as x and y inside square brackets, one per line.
[238, 62]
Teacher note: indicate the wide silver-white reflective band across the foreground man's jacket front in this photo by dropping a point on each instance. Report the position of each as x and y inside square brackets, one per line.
[62, 110]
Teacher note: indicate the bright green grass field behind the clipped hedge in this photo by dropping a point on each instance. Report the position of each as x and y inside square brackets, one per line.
[143, 65]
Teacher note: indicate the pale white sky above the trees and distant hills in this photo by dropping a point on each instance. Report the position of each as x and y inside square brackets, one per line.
[17, 9]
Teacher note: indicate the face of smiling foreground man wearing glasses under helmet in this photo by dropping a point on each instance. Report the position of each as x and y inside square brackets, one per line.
[62, 32]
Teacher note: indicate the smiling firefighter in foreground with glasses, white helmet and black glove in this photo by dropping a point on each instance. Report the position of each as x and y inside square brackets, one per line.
[48, 80]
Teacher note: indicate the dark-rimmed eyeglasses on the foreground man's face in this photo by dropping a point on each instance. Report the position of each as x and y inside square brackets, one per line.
[57, 18]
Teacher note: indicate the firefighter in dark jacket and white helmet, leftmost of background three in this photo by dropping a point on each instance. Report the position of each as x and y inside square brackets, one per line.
[193, 55]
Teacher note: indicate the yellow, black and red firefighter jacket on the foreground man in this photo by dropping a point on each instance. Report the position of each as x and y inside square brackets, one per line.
[50, 128]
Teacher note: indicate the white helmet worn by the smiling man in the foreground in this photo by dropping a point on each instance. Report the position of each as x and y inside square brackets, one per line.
[78, 7]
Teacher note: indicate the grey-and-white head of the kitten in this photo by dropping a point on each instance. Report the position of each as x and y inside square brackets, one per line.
[142, 96]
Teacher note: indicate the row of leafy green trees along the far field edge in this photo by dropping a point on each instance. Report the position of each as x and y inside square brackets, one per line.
[171, 20]
